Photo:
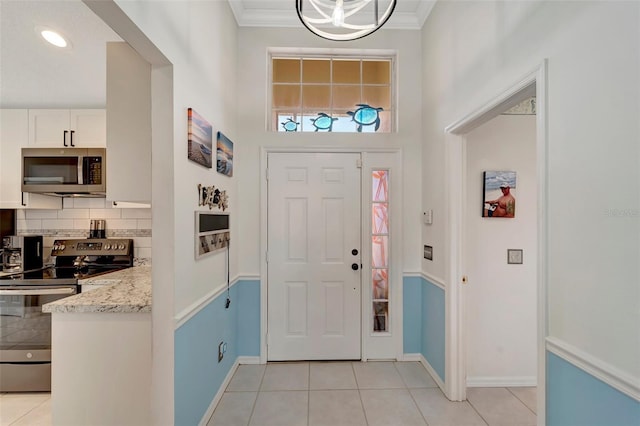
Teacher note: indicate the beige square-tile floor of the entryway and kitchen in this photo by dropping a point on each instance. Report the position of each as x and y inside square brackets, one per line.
[332, 394]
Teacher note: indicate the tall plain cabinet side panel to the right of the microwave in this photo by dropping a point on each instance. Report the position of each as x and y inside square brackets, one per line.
[129, 126]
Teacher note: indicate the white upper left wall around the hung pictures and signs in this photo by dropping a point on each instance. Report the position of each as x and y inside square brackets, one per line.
[199, 38]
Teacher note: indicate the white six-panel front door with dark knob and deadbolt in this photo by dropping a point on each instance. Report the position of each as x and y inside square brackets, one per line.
[313, 246]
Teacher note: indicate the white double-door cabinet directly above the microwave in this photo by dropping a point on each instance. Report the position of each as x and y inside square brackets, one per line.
[82, 128]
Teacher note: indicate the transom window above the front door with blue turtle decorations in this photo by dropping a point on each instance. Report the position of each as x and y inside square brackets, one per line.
[320, 94]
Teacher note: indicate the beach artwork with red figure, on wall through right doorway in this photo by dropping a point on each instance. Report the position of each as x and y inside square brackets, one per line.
[499, 198]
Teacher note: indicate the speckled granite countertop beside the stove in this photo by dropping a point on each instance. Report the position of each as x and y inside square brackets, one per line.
[125, 291]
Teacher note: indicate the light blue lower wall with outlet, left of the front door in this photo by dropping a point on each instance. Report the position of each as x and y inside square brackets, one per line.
[198, 374]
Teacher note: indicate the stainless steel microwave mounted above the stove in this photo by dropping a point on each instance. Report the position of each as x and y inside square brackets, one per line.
[64, 171]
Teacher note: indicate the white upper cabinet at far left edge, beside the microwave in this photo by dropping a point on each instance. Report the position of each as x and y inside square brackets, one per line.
[14, 135]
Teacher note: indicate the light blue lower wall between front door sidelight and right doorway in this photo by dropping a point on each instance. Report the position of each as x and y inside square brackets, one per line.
[424, 321]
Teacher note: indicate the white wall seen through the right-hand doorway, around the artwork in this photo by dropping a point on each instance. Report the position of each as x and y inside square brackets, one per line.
[501, 298]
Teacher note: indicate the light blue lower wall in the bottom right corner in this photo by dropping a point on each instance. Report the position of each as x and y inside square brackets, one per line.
[574, 397]
